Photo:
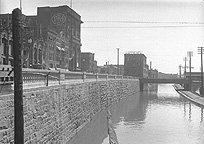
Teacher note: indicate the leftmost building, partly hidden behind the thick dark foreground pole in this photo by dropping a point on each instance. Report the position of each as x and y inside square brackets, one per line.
[6, 40]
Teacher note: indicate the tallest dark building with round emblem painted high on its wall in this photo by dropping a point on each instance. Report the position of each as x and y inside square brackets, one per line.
[61, 30]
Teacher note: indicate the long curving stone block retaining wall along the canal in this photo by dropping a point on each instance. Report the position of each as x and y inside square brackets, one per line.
[55, 114]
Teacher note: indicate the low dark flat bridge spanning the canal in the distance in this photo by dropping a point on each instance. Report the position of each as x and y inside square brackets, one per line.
[186, 82]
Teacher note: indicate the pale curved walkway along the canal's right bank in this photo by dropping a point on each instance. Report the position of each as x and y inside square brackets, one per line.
[196, 98]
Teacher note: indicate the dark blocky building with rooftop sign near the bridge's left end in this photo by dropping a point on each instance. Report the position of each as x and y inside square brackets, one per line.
[135, 65]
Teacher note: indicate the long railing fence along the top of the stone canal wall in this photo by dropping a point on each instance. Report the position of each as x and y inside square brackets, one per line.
[52, 76]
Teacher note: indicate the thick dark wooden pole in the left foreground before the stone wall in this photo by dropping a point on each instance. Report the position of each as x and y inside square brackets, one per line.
[18, 88]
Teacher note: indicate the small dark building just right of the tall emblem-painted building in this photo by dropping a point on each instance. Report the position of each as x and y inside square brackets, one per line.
[88, 64]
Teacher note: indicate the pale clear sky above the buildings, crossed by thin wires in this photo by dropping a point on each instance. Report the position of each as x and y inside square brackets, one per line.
[163, 30]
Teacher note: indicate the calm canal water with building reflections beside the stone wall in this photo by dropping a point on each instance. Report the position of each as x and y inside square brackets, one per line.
[159, 115]
